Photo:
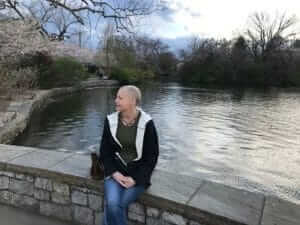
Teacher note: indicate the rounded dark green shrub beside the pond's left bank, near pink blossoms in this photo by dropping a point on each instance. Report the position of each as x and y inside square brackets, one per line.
[63, 71]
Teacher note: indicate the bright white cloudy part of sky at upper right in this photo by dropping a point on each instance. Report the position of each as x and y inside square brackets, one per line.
[212, 18]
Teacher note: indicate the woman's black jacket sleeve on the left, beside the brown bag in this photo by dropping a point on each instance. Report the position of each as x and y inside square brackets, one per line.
[106, 151]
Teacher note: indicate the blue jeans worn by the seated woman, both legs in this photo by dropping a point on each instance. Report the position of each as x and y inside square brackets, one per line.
[117, 199]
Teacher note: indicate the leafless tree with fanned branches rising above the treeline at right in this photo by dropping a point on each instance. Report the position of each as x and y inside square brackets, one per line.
[266, 34]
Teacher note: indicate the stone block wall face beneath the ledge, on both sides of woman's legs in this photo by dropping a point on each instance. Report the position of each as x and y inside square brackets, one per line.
[68, 202]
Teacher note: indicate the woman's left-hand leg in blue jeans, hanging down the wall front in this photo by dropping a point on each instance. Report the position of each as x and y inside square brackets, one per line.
[113, 211]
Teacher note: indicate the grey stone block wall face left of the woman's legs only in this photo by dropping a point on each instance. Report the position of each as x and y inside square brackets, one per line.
[51, 198]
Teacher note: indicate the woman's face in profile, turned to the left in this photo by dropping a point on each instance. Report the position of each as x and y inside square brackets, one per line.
[124, 101]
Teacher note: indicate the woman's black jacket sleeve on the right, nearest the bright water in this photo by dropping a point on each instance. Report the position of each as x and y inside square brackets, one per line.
[149, 157]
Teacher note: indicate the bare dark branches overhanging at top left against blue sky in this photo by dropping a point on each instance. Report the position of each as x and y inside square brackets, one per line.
[122, 12]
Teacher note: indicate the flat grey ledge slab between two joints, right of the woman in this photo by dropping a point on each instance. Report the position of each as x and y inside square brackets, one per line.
[233, 204]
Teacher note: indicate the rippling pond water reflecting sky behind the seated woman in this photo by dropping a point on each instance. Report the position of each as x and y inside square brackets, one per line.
[246, 138]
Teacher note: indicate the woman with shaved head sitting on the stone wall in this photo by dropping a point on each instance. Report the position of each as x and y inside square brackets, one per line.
[129, 151]
